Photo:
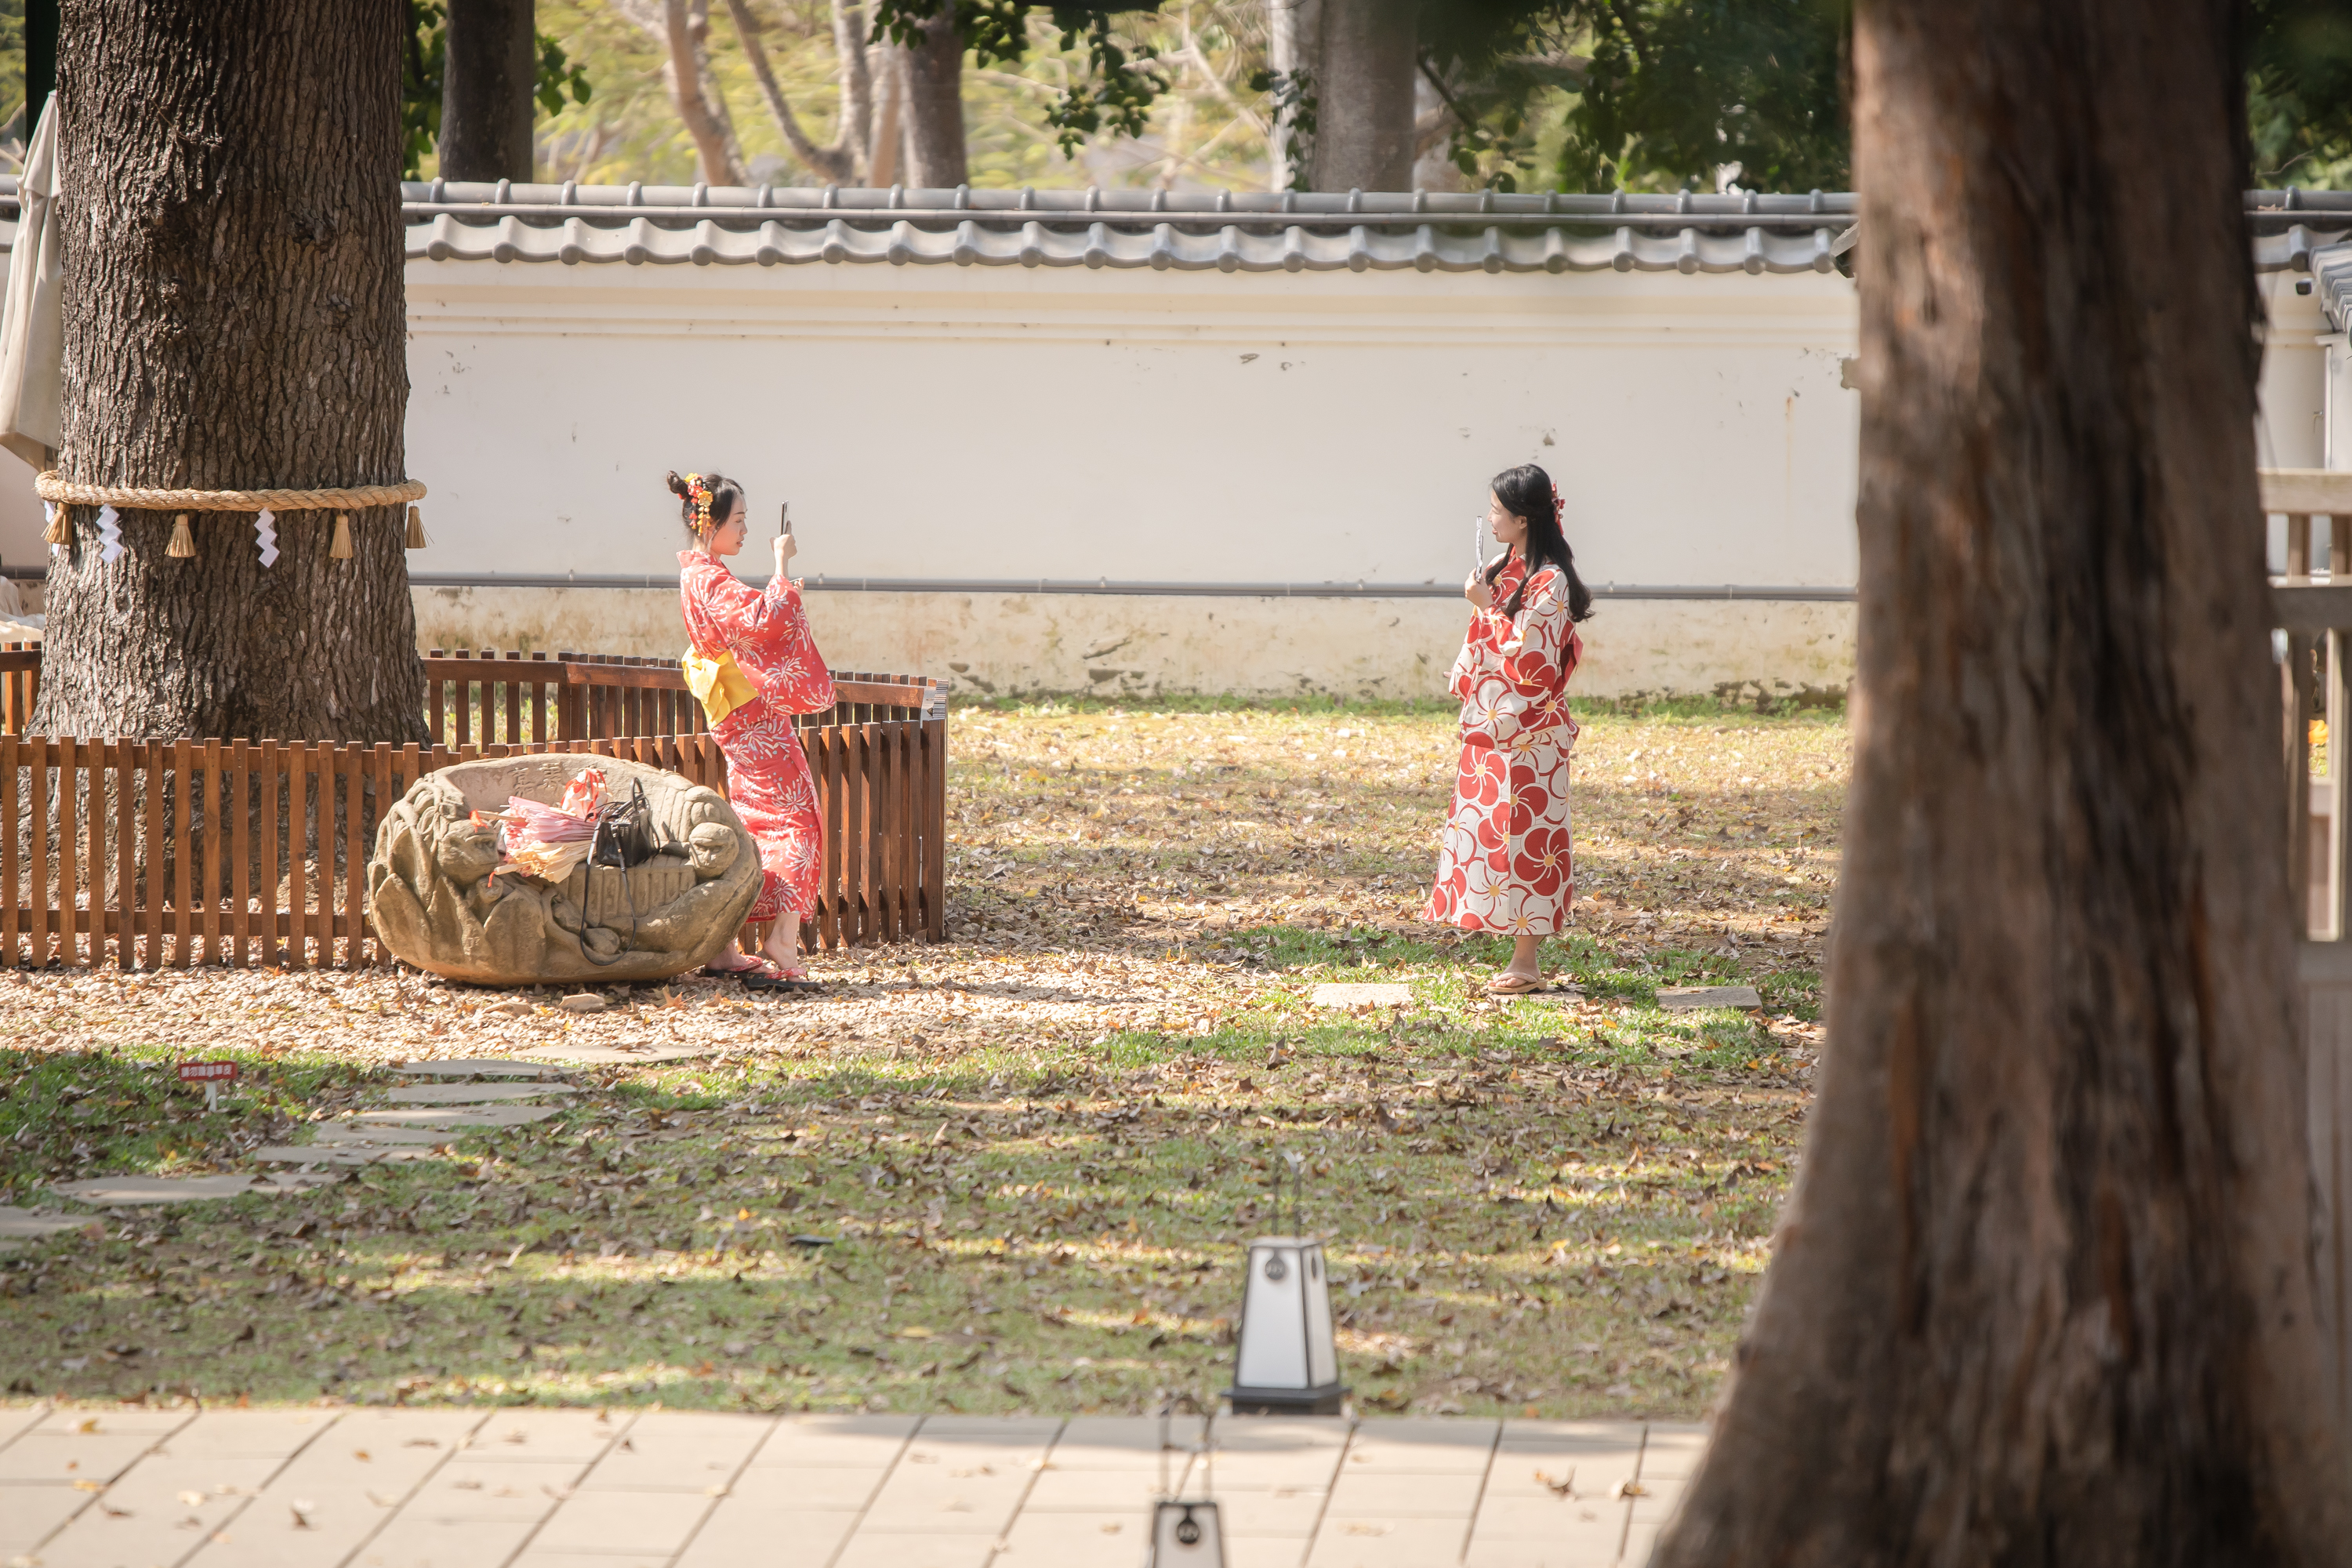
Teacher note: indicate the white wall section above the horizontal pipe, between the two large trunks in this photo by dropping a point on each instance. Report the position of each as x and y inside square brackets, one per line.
[1147, 427]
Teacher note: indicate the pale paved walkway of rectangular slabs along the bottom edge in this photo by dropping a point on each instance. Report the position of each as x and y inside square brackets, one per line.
[657, 1489]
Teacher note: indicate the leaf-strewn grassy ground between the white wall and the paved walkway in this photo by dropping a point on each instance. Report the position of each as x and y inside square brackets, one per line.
[1013, 1172]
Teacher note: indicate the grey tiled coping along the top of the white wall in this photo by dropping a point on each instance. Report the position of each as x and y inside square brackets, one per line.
[1194, 232]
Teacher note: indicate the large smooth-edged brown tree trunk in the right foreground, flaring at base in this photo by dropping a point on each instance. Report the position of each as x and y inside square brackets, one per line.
[2045, 1287]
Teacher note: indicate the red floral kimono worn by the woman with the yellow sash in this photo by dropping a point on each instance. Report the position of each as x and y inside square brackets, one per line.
[768, 775]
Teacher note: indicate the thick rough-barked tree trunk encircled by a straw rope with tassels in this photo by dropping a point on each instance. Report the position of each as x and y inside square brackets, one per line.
[234, 257]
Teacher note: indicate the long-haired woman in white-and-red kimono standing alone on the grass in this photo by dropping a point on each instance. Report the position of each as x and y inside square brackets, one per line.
[1504, 862]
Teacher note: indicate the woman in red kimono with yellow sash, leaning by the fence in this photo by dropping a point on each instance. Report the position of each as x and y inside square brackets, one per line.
[754, 666]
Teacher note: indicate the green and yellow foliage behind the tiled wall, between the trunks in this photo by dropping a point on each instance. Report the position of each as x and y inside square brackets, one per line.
[1577, 95]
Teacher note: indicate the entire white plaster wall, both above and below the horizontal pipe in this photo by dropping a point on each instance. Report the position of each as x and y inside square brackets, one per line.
[1163, 427]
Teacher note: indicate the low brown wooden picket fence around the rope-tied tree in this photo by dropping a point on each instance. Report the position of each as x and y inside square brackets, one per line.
[107, 855]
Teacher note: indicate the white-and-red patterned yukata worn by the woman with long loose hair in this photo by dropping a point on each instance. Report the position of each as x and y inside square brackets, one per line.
[1504, 862]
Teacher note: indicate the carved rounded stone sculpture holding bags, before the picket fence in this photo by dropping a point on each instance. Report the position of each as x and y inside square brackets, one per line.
[436, 904]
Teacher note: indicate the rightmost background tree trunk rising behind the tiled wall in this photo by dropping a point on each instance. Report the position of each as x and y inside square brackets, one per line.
[1365, 98]
